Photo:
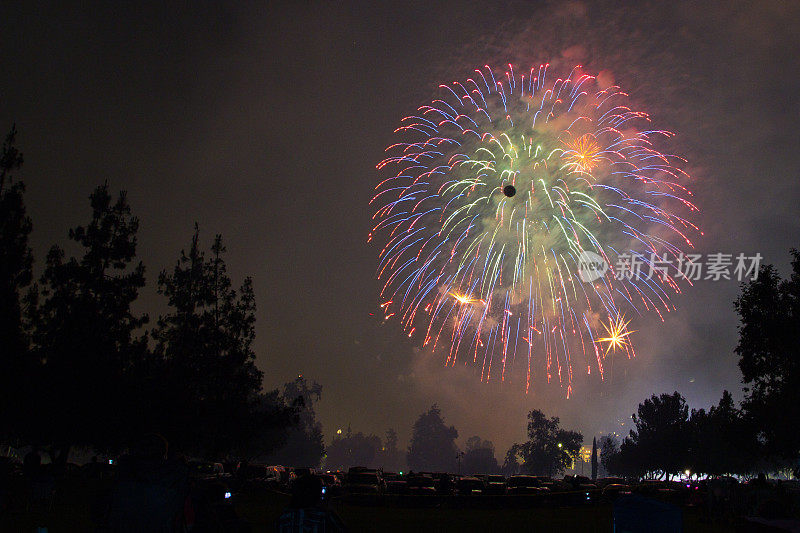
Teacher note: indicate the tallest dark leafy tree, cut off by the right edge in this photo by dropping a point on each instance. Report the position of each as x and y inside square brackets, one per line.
[769, 358]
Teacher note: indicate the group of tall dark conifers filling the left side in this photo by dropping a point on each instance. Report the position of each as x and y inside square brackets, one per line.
[81, 367]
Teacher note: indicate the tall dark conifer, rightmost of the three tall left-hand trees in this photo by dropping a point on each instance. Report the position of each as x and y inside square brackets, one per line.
[211, 401]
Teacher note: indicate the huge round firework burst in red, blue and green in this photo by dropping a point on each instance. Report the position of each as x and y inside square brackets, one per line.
[488, 200]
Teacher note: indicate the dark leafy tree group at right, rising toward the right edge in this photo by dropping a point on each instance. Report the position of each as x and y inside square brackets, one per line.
[760, 435]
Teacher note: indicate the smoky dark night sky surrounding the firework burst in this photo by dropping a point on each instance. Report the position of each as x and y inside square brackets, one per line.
[264, 122]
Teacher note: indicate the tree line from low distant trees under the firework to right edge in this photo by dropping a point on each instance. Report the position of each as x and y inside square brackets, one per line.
[669, 439]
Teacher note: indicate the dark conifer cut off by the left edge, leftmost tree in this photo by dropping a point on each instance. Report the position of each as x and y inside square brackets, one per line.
[16, 260]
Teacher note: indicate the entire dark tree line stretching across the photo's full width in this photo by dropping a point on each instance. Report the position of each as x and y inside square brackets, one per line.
[80, 366]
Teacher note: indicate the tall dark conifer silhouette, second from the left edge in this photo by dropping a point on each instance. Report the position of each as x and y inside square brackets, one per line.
[86, 333]
